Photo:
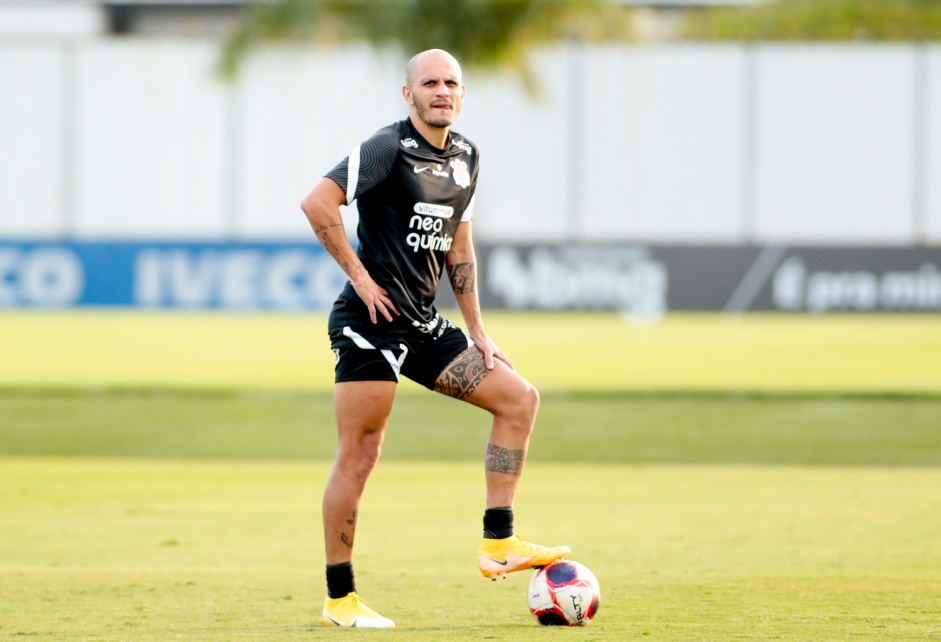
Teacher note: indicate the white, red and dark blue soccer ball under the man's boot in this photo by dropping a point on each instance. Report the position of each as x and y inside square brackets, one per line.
[565, 593]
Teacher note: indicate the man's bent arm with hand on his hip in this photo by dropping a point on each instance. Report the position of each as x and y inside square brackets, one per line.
[322, 207]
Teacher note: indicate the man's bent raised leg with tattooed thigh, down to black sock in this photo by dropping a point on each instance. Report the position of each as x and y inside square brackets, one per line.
[512, 401]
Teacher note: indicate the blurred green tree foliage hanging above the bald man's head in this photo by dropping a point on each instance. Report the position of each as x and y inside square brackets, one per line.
[480, 33]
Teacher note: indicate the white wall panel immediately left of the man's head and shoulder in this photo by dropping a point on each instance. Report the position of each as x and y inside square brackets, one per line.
[297, 117]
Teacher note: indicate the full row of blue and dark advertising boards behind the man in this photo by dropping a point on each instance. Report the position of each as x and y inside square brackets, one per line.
[645, 280]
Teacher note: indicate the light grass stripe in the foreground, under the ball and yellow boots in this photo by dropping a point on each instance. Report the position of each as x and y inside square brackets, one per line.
[192, 550]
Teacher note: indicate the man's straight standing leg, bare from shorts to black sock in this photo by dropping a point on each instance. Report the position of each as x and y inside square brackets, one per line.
[362, 411]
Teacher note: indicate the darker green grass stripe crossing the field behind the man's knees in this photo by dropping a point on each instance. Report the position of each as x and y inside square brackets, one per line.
[655, 430]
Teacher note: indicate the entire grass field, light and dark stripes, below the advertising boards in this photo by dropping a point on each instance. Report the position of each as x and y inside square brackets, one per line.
[760, 478]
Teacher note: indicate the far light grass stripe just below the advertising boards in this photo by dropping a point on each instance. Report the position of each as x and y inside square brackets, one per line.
[874, 354]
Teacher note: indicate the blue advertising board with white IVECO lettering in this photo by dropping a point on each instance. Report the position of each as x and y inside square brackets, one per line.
[181, 275]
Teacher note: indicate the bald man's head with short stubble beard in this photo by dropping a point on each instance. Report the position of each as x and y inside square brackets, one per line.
[436, 92]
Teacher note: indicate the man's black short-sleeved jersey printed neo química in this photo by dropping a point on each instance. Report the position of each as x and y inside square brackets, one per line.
[411, 197]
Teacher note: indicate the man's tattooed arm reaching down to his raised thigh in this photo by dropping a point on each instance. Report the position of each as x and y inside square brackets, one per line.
[461, 263]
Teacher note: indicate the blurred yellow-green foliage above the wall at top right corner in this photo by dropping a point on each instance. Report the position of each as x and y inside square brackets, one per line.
[827, 20]
